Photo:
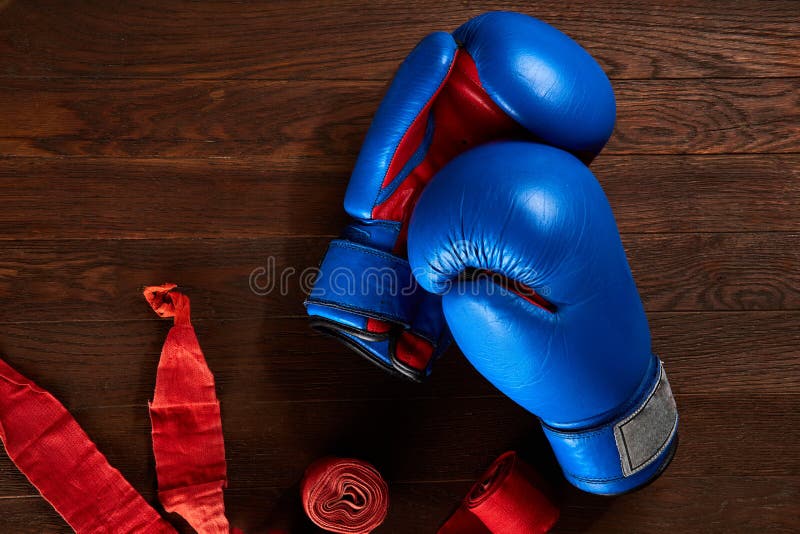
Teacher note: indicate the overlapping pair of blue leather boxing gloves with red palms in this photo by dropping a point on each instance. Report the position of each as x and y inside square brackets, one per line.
[513, 243]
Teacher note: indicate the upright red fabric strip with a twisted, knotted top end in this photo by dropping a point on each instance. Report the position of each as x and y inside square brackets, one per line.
[187, 426]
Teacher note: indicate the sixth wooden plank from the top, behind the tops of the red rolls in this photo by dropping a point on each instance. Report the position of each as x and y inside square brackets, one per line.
[269, 444]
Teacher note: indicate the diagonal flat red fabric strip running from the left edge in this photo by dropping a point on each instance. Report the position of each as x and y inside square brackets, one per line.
[49, 447]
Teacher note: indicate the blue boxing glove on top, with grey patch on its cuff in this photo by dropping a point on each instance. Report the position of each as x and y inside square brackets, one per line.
[520, 241]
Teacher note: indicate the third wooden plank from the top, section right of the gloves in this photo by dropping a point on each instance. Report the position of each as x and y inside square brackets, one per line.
[702, 193]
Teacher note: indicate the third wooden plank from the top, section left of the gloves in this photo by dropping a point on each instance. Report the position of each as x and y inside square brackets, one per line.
[122, 198]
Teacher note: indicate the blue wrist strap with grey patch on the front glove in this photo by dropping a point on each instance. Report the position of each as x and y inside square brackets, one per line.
[627, 452]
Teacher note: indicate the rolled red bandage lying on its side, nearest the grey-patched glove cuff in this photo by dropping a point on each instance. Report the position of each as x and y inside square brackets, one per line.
[505, 500]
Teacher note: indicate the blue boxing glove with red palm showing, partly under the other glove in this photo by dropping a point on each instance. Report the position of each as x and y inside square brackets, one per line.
[499, 76]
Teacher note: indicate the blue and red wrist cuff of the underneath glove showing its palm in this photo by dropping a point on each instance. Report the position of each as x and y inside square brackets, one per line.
[369, 300]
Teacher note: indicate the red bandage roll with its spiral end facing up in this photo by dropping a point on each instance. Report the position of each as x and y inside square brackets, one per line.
[344, 495]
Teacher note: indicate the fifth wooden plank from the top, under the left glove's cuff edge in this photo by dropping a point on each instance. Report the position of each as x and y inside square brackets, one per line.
[114, 362]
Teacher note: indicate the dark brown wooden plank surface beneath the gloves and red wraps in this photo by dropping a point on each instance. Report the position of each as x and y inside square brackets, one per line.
[191, 142]
